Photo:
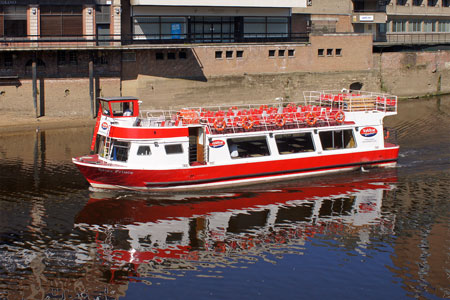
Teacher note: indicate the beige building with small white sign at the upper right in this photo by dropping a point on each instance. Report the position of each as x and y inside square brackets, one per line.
[395, 22]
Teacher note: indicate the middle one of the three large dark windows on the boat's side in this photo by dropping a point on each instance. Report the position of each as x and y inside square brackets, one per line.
[294, 143]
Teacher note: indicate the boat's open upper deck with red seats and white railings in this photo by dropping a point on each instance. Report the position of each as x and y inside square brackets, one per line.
[318, 109]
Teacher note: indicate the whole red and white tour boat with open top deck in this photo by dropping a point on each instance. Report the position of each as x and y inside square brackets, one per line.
[210, 147]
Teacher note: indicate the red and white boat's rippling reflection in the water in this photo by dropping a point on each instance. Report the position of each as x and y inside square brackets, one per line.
[143, 237]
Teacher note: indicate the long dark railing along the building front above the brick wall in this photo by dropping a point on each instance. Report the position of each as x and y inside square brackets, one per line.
[143, 39]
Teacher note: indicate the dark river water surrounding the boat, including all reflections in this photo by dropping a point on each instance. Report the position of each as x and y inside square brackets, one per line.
[362, 235]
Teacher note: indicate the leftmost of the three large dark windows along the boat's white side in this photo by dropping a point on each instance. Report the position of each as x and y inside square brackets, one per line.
[248, 147]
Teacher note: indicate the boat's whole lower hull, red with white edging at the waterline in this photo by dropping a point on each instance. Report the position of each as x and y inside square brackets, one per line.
[207, 176]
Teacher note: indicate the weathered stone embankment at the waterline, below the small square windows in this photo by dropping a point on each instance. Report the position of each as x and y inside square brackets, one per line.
[67, 103]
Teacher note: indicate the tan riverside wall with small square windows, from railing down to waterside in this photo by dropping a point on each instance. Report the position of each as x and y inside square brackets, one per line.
[197, 77]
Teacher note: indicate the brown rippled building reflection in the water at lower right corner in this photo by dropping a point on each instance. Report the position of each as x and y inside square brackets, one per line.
[421, 250]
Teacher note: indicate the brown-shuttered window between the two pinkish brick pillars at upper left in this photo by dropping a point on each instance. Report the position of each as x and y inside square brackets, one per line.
[61, 21]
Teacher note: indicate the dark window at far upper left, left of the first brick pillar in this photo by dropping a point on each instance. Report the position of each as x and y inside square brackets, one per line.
[13, 21]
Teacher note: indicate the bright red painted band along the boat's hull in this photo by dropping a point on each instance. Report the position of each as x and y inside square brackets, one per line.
[134, 178]
